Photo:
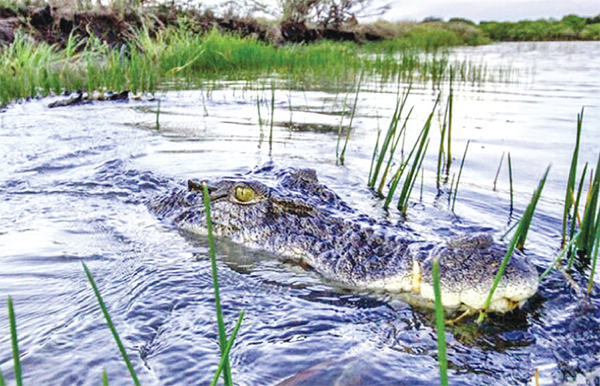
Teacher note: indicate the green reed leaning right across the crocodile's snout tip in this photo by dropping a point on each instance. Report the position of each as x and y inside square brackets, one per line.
[518, 240]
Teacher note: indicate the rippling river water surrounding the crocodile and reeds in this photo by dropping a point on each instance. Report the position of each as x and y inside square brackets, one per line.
[74, 180]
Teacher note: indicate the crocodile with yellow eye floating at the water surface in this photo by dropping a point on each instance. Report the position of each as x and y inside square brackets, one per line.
[291, 214]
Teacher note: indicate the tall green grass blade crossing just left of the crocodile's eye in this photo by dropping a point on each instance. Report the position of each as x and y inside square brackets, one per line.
[213, 262]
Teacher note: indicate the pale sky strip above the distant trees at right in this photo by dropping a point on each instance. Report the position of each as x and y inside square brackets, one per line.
[479, 10]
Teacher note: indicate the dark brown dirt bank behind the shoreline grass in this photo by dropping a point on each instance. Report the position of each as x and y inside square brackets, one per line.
[54, 26]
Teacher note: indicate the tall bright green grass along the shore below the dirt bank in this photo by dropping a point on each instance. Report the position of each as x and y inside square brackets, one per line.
[182, 58]
